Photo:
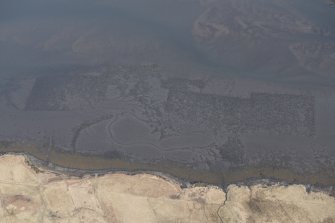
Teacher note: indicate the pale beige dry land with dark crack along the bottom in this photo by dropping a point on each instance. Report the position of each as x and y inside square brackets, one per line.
[31, 194]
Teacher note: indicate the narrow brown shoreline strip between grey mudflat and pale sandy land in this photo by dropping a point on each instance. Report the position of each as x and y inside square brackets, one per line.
[81, 164]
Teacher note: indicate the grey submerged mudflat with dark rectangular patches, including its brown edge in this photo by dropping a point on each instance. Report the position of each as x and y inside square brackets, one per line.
[219, 130]
